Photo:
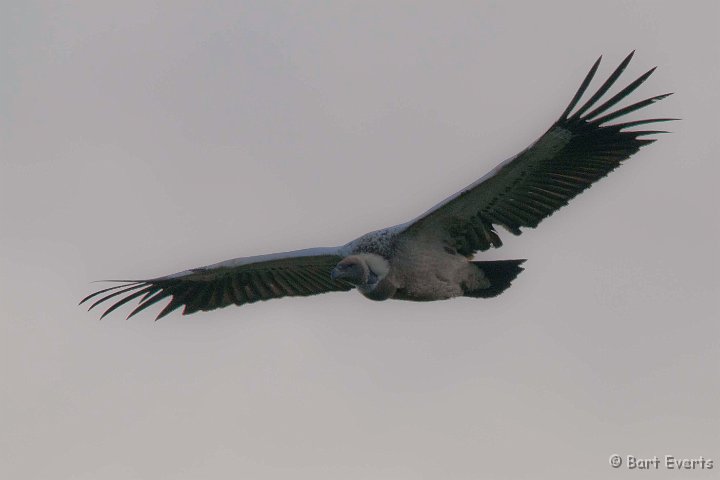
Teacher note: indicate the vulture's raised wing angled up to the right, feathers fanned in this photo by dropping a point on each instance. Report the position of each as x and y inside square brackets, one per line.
[579, 149]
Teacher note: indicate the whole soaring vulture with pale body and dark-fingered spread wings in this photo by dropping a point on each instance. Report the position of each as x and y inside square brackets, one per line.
[431, 256]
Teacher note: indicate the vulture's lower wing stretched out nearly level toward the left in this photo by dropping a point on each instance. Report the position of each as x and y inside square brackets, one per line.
[238, 281]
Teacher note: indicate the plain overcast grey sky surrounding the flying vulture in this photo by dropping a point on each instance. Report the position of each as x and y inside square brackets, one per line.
[142, 138]
